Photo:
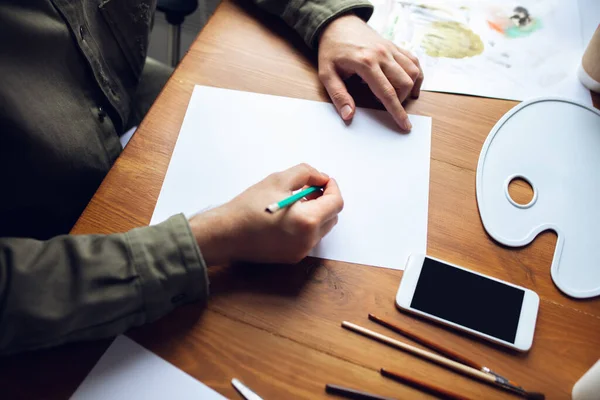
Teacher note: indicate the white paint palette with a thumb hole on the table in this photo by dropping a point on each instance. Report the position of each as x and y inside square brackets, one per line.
[554, 144]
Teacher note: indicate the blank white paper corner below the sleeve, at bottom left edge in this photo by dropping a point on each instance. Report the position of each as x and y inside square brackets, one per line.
[127, 371]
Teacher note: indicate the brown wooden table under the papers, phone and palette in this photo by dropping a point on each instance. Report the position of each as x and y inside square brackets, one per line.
[277, 328]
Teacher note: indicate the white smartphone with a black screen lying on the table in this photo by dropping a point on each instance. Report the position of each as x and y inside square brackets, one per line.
[483, 306]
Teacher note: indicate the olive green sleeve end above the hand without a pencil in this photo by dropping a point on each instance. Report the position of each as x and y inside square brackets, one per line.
[309, 17]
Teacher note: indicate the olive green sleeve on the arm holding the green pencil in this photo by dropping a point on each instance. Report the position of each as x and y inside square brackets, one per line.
[84, 287]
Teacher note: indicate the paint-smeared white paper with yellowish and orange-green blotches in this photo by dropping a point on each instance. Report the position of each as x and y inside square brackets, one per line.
[492, 48]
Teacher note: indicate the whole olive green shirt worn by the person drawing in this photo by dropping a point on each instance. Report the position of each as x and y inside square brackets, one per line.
[70, 75]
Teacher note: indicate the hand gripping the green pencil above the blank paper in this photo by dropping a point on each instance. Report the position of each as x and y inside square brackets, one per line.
[242, 230]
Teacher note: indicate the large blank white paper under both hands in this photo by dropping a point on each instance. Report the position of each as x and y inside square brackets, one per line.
[230, 140]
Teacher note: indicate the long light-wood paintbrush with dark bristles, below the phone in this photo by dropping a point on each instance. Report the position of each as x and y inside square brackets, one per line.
[441, 360]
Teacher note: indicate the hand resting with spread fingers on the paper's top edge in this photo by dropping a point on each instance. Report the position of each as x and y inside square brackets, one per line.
[349, 46]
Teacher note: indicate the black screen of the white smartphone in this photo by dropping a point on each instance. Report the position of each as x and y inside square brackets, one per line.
[469, 300]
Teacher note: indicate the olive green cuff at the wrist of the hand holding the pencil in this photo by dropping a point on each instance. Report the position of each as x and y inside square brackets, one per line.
[170, 266]
